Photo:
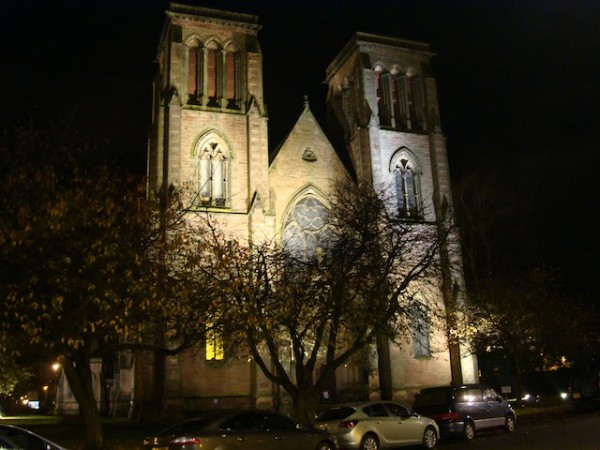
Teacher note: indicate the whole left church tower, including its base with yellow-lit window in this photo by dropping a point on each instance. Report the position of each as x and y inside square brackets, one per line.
[209, 139]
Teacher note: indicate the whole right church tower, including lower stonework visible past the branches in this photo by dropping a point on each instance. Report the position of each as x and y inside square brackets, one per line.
[383, 107]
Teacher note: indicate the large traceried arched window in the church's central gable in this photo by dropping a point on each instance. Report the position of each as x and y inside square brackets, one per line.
[305, 231]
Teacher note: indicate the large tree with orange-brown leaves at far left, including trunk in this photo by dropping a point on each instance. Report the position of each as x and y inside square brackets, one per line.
[76, 248]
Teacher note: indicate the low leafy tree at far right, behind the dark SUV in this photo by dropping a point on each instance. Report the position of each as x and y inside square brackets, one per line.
[529, 324]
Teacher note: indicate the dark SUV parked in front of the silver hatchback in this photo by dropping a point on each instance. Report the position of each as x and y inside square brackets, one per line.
[465, 409]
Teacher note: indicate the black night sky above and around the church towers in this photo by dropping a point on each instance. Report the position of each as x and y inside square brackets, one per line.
[518, 82]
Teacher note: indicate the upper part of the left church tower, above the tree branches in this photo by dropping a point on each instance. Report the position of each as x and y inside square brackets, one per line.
[209, 131]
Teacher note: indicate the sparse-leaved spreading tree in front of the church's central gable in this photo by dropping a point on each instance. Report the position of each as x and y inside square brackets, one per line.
[369, 277]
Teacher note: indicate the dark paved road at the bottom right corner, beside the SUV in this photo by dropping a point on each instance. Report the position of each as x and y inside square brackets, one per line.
[581, 432]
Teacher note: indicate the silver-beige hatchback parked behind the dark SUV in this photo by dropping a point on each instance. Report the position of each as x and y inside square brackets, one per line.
[377, 425]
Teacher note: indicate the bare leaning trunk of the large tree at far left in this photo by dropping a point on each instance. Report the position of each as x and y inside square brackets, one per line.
[79, 375]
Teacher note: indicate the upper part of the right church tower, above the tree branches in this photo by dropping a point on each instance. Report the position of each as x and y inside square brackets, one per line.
[382, 97]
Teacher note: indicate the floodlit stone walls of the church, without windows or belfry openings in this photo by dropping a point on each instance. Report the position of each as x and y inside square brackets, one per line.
[261, 194]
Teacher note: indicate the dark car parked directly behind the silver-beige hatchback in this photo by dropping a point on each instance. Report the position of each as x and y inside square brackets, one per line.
[240, 429]
